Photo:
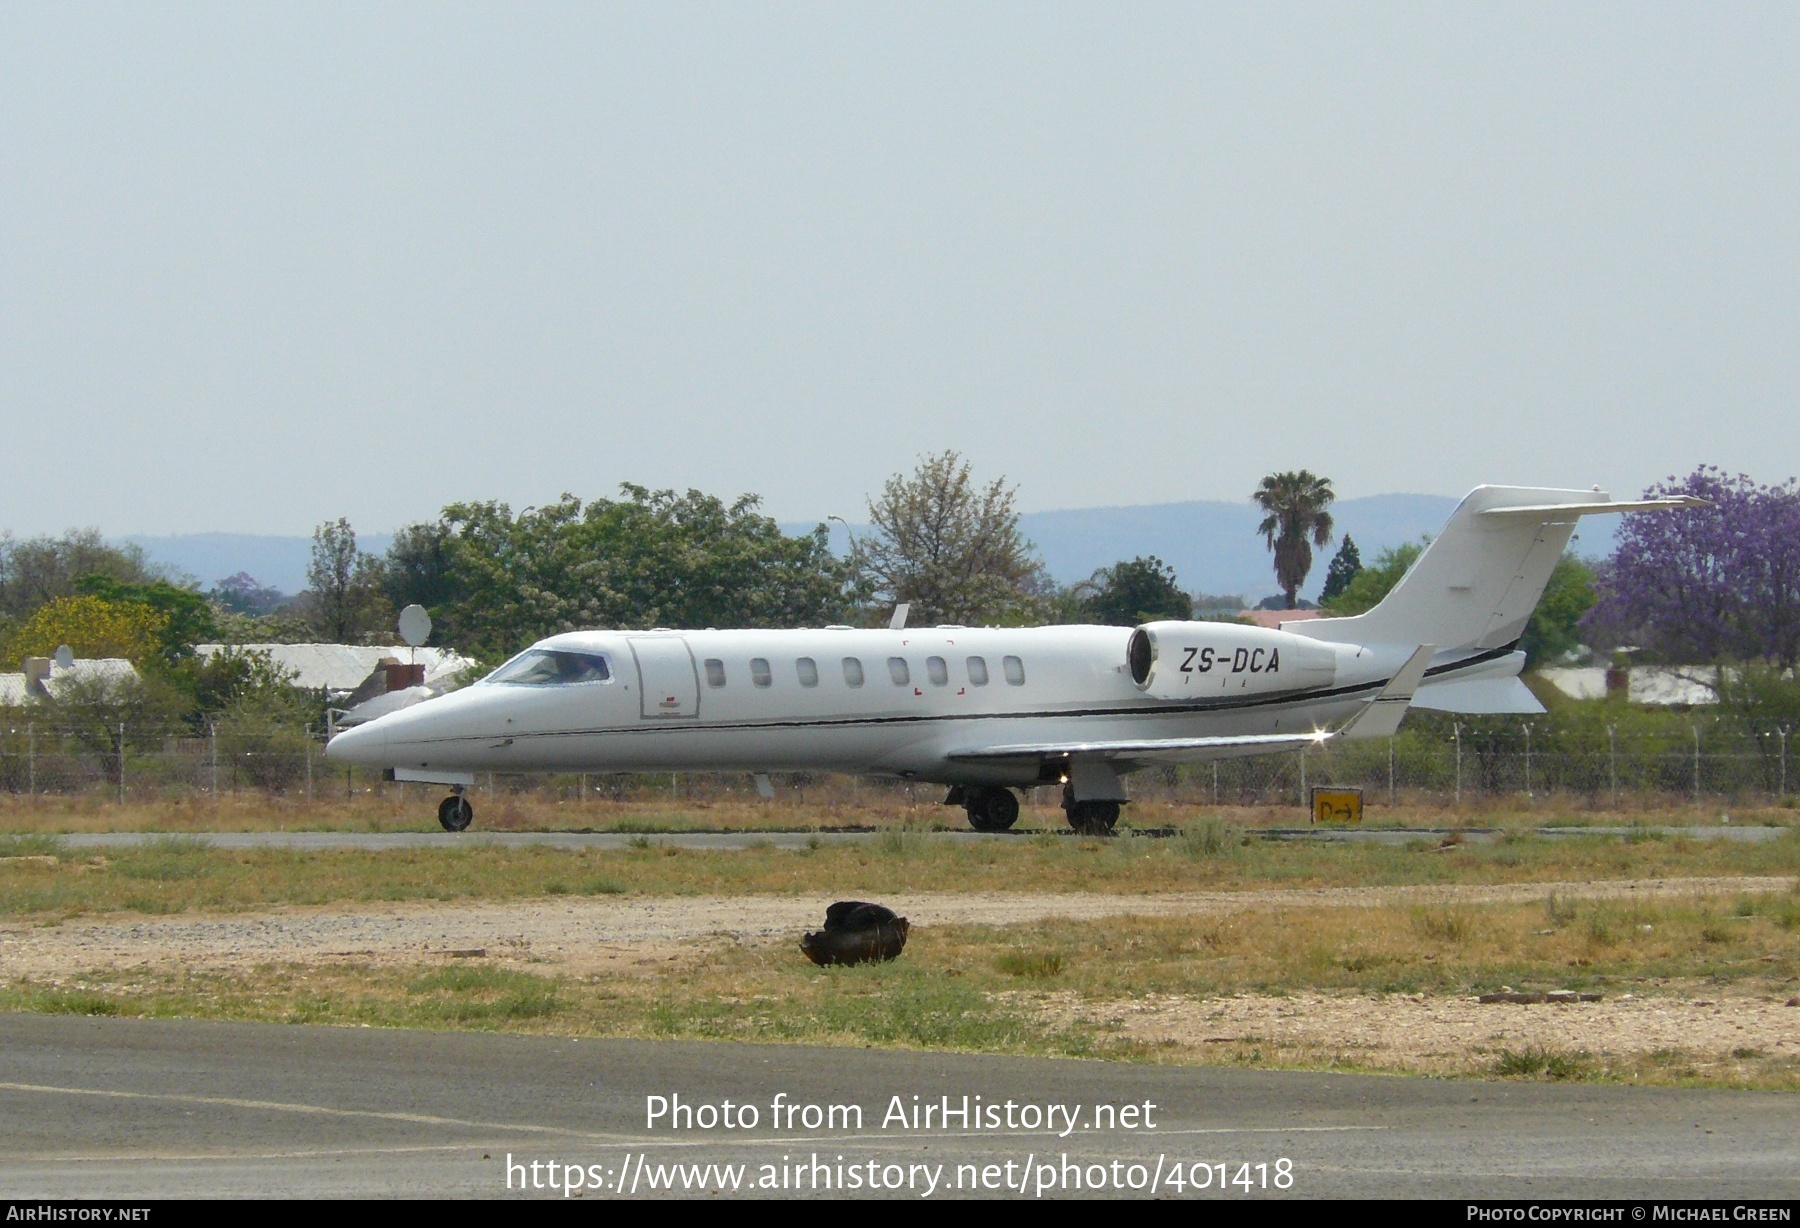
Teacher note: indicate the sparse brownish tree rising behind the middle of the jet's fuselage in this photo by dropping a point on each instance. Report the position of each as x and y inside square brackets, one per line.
[948, 548]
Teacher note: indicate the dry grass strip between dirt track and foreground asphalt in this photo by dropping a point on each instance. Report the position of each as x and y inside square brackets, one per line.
[1072, 988]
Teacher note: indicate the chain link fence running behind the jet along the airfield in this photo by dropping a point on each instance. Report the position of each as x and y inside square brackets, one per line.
[1443, 763]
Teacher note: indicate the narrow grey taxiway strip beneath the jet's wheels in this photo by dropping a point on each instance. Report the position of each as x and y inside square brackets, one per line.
[375, 842]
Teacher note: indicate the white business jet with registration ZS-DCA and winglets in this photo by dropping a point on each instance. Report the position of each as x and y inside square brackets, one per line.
[987, 710]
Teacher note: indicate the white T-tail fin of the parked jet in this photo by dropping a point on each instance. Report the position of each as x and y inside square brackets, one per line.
[1477, 584]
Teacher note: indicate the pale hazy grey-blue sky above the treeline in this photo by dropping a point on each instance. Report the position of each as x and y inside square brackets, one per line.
[264, 266]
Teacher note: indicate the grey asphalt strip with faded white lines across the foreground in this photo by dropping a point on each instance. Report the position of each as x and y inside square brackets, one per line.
[136, 1108]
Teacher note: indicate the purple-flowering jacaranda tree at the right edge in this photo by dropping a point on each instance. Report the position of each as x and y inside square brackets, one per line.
[1709, 584]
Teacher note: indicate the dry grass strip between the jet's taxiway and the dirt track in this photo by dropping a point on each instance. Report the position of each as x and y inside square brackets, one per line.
[186, 874]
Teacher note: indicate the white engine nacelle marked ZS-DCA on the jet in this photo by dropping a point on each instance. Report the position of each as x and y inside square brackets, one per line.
[1221, 660]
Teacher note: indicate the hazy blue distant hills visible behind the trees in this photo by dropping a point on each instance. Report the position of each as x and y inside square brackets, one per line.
[1212, 545]
